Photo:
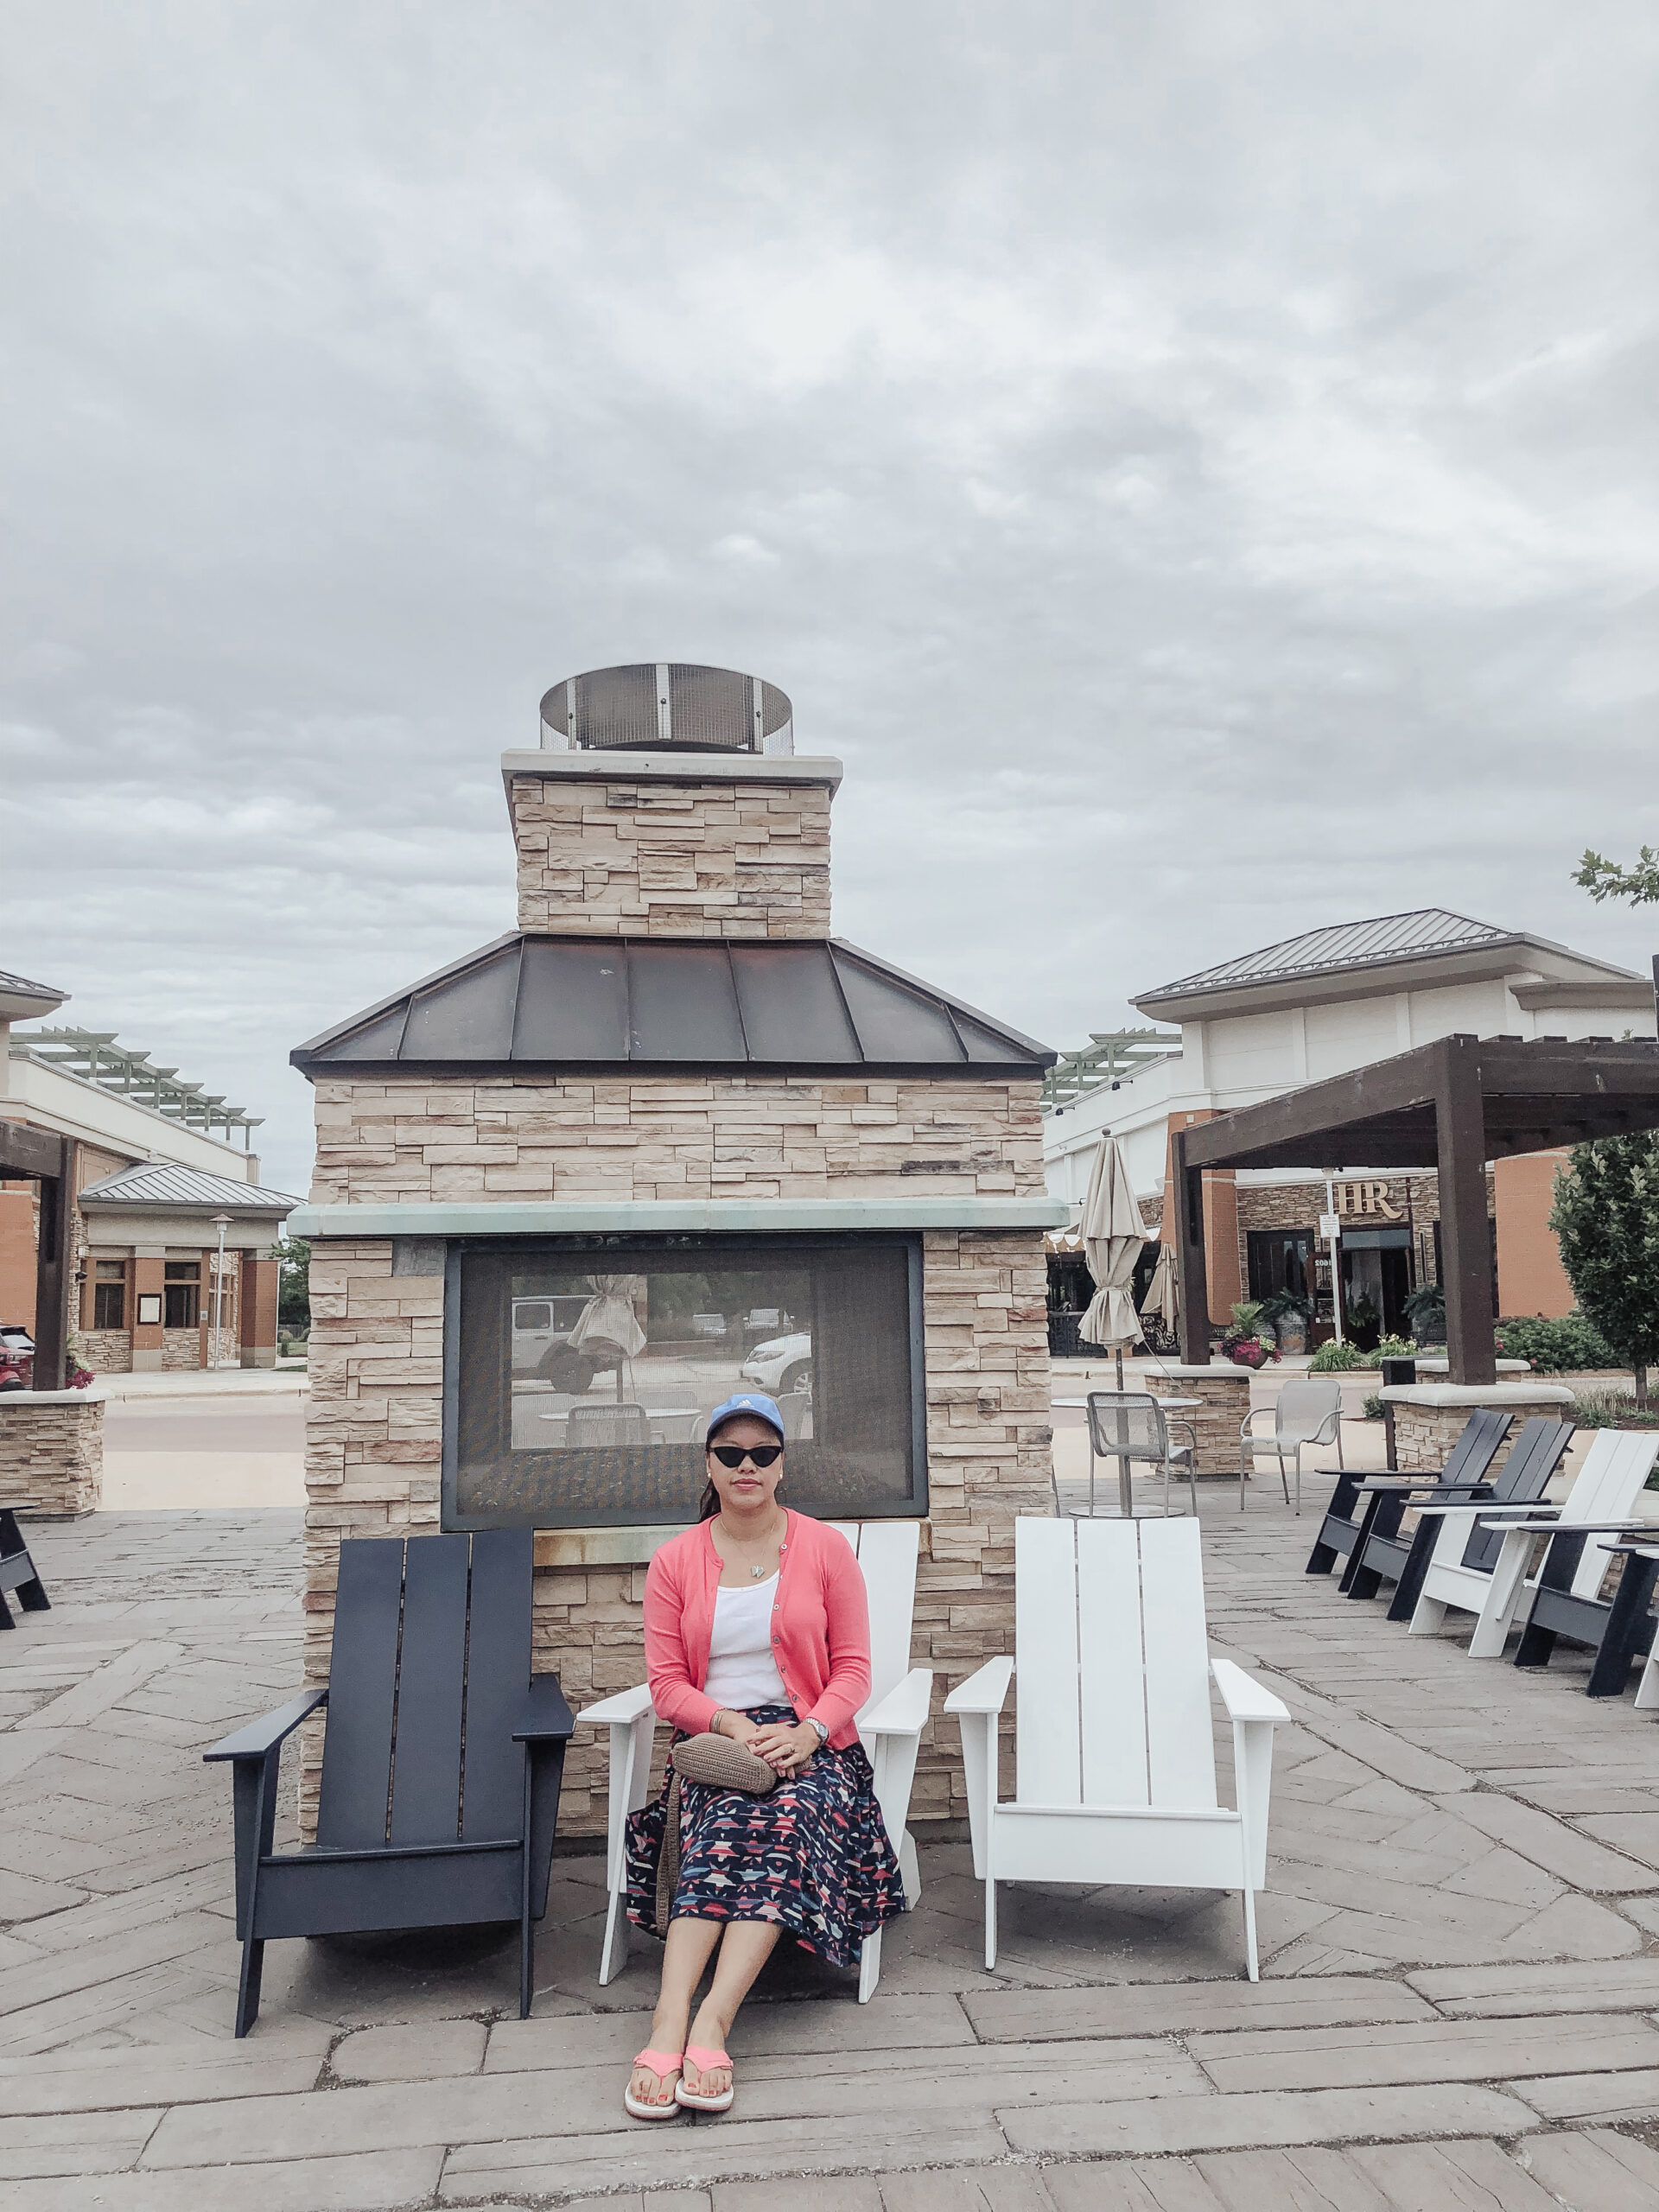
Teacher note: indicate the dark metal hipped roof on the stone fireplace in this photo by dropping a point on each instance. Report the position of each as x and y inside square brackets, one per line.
[676, 1003]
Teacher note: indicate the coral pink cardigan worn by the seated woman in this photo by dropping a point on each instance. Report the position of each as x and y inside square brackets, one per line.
[820, 1627]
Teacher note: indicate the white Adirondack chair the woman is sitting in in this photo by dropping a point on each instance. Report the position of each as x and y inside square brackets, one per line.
[890, 1729]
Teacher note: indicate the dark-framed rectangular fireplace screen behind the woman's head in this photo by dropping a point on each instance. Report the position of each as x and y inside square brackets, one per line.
[583, 1373]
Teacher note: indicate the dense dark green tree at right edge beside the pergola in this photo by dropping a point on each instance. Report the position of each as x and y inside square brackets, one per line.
[1607, 1224]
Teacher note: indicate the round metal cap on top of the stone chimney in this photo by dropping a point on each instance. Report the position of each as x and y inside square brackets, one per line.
[667, 707]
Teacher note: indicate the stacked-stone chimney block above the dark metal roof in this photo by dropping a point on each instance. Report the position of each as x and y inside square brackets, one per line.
[722, 859]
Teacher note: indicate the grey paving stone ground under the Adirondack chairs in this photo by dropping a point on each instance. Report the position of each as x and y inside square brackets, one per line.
[1459, 2003]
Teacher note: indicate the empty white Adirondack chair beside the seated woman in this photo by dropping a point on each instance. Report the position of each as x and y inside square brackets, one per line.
[1116, 1762]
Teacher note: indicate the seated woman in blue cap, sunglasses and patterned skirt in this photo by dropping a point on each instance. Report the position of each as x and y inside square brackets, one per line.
[758, 1629]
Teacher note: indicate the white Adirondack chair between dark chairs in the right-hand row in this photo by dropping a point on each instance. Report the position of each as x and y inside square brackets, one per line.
[1603, 1496]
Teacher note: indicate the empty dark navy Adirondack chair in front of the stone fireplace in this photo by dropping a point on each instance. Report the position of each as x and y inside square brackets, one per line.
[441, 1764]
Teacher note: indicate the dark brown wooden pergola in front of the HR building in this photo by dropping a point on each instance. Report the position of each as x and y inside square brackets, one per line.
[1452, 1107]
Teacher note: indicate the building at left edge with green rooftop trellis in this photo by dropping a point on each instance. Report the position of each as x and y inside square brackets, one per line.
[171, 1231]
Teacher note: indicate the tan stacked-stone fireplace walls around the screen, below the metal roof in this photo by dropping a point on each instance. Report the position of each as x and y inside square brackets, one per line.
[375, 1421]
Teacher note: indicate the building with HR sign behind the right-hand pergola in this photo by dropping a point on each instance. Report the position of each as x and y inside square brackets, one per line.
[1315, 1008]
